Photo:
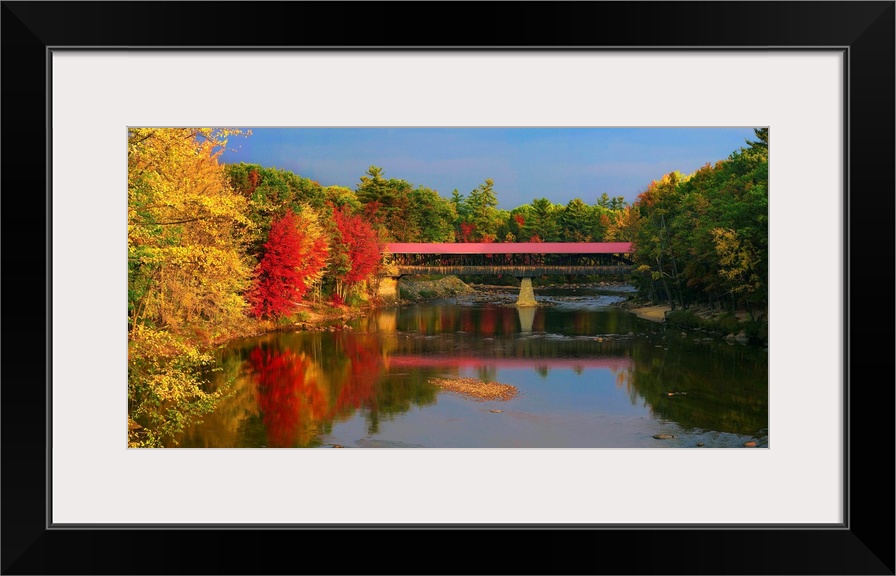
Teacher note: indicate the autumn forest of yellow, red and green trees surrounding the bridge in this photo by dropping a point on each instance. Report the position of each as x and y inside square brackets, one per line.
[217, 251]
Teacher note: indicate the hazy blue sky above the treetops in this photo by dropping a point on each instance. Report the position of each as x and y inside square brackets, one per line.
[525, 163]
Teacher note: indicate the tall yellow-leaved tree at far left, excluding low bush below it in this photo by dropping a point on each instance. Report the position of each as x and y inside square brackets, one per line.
[185, 224]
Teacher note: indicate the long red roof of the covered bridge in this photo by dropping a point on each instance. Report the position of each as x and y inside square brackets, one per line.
[509, 248]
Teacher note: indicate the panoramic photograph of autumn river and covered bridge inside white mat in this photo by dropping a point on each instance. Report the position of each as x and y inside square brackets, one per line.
[448, 287]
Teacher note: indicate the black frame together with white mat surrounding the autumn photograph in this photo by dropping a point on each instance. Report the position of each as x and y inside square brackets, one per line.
[820, 75]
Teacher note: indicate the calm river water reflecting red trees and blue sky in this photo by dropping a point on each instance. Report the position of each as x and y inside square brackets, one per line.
[589, 376]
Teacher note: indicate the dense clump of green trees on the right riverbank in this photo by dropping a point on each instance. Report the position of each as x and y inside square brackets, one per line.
[704, 237]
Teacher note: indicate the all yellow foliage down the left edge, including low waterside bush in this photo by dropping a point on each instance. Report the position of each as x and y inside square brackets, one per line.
[186, 274]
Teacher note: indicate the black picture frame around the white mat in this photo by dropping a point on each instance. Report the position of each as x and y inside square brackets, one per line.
[863, 545]
